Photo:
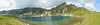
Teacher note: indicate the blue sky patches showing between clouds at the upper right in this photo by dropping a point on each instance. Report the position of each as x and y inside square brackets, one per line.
[96, 5]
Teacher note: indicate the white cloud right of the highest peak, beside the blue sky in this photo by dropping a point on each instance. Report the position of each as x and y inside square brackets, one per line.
[87, 3]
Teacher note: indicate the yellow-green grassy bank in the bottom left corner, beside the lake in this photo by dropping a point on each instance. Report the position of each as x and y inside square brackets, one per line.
[5, 20]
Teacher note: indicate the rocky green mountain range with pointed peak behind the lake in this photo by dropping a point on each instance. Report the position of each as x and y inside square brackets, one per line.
[61, 10]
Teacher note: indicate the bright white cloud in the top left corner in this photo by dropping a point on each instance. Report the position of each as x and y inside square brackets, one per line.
[7, 5]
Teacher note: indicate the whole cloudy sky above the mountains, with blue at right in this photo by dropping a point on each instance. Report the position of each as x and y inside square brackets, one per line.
[92, 5]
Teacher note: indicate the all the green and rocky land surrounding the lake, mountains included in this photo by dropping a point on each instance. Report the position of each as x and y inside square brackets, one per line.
[91, 17]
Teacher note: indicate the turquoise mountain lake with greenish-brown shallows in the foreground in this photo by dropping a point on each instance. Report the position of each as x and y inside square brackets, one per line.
[52, 20]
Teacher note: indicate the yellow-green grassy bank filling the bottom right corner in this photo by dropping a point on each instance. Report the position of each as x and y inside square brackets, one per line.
[93, 20]
